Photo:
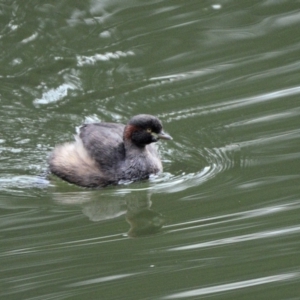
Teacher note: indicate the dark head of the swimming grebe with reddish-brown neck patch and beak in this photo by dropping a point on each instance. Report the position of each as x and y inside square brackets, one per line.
[142, 130]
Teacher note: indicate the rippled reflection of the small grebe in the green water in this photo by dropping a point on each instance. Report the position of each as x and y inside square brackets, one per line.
[135, 205]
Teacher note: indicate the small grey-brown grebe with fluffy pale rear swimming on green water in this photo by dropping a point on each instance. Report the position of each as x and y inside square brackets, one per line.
[110, 153]
